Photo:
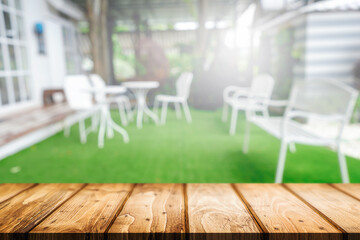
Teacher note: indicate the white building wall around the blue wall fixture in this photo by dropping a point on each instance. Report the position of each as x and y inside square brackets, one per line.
[48, 70]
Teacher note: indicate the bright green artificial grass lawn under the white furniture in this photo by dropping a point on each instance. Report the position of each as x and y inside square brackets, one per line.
[177, 152]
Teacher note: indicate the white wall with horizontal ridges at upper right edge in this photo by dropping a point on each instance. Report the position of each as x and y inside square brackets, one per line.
[332, 45]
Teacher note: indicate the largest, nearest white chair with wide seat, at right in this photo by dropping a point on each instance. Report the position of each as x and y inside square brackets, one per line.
[321, 100]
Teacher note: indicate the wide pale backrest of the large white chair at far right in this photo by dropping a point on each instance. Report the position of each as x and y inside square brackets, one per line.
[325, 97]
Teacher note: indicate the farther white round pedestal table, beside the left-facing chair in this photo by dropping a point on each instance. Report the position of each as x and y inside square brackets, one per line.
[140, 90]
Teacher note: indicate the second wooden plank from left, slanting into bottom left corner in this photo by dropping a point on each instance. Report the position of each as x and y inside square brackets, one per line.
[23, 212]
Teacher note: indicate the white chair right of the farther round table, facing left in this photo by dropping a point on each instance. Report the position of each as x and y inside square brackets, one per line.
[183, 84]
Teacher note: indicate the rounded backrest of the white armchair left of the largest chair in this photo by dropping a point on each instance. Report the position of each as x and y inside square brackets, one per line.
[262, 86]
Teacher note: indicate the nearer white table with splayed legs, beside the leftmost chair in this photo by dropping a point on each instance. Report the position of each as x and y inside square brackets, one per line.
[106, 122]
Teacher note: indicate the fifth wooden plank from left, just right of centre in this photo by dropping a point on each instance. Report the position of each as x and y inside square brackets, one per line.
[216, 212]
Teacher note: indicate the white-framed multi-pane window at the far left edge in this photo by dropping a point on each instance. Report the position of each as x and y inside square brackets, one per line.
[14, 72]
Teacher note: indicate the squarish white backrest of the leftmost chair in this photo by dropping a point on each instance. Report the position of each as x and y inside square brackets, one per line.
[75, 91]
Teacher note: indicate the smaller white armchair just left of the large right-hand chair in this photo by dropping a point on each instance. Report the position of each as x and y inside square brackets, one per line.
[255, 98]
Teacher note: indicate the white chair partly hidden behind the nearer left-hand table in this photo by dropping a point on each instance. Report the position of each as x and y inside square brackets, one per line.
[122, 101]
